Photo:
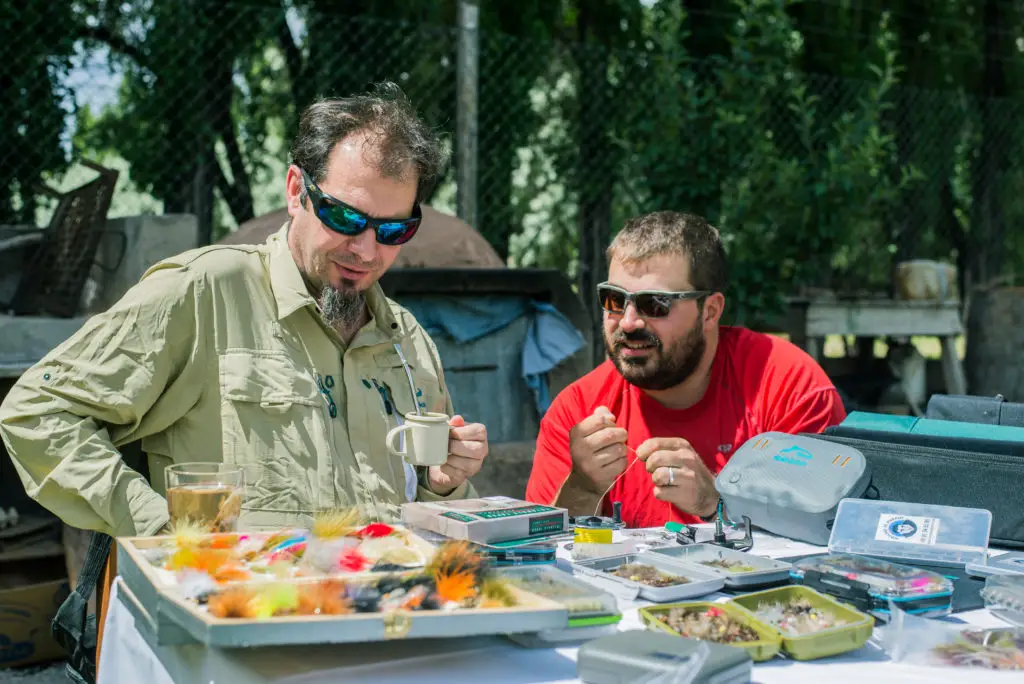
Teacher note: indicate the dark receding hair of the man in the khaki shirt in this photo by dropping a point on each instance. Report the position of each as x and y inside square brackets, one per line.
[402, 138]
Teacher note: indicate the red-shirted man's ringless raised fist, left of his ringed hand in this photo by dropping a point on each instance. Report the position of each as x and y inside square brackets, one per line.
[599, 449]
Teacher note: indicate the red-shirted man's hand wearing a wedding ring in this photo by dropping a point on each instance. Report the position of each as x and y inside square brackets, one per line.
[680, 477]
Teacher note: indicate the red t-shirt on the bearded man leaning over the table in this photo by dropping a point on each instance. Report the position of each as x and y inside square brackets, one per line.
[759, 383]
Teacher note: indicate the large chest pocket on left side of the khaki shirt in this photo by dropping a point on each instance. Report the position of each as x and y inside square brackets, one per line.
[273, 427]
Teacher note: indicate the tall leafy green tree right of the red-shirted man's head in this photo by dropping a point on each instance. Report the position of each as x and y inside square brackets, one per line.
[806, 192]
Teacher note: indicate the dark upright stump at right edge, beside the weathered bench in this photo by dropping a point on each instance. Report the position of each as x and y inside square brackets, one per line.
[996, 337]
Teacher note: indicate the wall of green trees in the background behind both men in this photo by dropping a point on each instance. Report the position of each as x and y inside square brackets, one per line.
[828, 140]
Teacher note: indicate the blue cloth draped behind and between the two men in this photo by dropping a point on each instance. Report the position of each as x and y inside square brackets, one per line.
[550, 339]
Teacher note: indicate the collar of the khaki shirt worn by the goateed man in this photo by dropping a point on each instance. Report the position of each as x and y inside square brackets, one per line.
[291, 293]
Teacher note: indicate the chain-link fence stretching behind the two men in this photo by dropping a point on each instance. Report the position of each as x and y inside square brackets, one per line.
[817, 181]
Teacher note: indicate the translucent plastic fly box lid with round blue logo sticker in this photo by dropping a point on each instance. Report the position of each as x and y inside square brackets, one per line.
[912, 533]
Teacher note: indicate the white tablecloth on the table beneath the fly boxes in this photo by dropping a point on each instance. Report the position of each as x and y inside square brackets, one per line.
[132, 656]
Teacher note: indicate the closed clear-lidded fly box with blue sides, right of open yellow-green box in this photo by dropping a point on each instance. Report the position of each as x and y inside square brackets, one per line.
[870, 584]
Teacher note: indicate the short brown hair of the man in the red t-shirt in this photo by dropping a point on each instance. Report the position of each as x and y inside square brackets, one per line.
[675, 233]
